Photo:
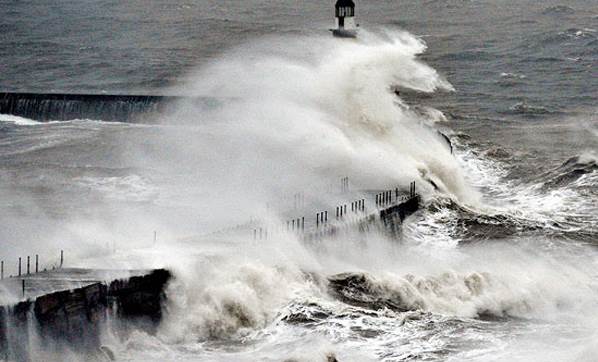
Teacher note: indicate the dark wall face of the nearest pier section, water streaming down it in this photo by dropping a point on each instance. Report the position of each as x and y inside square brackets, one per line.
[74, 319]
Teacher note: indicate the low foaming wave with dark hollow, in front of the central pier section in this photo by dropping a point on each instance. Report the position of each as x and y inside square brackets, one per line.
[471, 295]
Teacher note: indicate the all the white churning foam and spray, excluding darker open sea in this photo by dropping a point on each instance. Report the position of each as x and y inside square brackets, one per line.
[495, 266]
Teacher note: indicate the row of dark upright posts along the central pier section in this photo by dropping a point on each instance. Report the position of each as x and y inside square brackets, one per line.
[298, 225]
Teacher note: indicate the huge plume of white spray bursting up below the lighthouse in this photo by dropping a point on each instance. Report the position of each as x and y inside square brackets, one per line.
[298, 110]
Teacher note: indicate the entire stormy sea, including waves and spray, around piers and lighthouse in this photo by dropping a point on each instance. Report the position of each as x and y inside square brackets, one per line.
[499, 265]
